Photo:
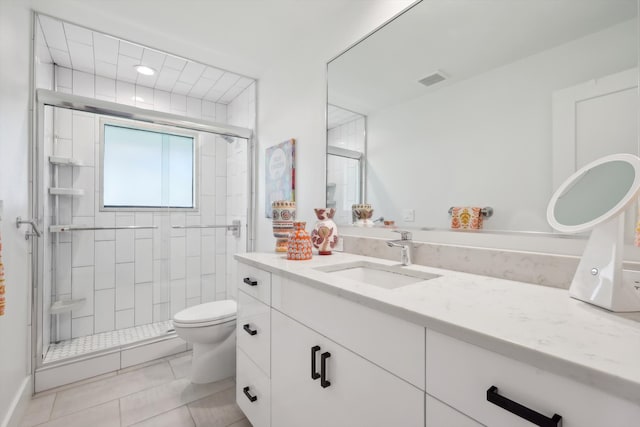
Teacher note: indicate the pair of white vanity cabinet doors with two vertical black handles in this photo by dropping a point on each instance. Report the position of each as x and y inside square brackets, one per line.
[360, 393]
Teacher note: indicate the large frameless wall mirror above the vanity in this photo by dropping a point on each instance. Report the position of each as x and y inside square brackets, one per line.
[480, 103]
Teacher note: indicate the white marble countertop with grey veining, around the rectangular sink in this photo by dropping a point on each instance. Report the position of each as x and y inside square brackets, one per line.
[537, 325]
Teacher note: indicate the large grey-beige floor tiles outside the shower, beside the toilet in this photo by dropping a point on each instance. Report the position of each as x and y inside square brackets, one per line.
[154, 394]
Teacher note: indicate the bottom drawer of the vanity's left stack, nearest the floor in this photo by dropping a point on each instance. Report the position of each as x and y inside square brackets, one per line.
[253, 391]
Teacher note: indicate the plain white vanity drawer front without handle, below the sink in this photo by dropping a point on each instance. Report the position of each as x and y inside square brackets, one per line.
[391, 343]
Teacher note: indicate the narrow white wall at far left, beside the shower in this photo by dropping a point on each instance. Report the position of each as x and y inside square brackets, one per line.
[15, 27]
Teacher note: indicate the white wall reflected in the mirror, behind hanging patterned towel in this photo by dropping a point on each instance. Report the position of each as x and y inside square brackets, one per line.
[485, 141]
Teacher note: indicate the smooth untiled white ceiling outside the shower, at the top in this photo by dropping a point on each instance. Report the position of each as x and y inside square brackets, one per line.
[246, 37]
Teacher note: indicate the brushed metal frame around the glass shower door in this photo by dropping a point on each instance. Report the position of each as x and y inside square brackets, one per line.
[44, 97]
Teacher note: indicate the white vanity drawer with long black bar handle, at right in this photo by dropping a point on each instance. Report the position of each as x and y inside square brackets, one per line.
[461, 374]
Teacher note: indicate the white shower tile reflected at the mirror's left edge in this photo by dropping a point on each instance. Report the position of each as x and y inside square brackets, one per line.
[343, 173]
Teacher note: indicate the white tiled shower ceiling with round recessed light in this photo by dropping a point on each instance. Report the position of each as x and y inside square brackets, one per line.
[78, 48]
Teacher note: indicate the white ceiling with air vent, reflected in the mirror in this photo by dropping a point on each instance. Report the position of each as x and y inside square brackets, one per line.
[462, 38]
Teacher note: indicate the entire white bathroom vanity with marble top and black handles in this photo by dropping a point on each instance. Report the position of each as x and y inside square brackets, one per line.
[350, 341]
